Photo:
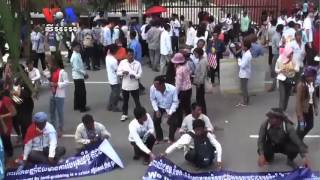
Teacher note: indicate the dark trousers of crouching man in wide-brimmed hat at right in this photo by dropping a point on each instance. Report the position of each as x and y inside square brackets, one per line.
[288, 148]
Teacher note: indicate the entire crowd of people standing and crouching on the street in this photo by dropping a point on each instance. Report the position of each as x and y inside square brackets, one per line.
[183, 55]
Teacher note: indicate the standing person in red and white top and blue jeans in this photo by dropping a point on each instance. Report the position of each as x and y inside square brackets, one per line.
[58, 83]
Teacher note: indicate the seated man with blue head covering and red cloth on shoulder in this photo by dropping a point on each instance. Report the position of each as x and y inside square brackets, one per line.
[41, 142]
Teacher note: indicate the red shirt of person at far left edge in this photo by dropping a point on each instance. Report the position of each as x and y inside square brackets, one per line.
[4, 103]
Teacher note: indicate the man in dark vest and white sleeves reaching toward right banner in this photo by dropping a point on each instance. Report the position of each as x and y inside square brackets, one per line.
[200, 146]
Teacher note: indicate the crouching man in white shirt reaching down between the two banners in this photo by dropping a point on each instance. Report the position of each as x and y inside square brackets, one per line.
[141, 135]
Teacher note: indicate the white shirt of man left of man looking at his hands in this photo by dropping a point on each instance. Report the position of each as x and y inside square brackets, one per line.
[112, 66]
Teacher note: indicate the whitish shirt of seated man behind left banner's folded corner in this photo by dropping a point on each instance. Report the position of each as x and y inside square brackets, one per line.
[81, 135]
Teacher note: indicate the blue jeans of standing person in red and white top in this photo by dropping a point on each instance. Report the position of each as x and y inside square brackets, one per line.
[57, 104]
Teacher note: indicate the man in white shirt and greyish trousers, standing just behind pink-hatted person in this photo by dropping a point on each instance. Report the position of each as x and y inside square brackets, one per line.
[165, 48]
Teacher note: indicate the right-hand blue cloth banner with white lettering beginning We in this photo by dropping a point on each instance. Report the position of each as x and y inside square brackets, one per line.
[163, 169]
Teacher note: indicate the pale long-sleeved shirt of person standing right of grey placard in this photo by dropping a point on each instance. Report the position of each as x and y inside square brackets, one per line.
[245, 65]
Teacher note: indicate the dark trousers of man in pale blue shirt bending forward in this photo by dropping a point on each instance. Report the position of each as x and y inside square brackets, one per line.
[172, 122]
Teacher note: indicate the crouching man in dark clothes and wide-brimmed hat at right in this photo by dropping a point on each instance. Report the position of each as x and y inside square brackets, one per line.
[278, 135]
